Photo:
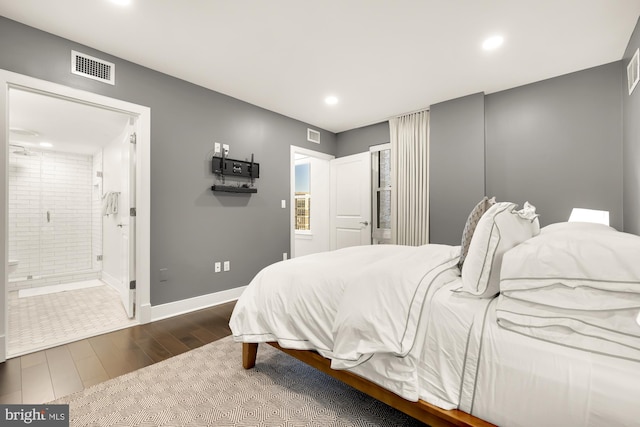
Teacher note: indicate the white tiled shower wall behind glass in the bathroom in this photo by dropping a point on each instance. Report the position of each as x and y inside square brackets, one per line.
[51, 221]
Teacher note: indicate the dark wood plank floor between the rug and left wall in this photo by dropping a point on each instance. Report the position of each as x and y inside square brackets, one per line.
[50, 374]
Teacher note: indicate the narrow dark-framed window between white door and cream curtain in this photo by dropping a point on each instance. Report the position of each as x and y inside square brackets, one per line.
[381, 197]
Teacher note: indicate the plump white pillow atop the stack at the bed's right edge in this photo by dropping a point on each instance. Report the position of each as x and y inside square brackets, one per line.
[571, 255]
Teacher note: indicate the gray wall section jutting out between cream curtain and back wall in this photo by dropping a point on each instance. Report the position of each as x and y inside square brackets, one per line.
[456, 169]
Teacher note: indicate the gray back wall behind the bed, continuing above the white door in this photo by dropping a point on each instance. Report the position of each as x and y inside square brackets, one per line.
[555, 143]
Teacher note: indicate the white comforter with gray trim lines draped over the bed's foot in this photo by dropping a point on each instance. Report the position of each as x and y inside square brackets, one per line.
[349, 304]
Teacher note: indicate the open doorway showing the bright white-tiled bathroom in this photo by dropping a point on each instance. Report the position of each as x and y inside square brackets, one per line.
[72, 217]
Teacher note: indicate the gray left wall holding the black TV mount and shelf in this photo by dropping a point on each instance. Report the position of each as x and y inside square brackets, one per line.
[190, 226]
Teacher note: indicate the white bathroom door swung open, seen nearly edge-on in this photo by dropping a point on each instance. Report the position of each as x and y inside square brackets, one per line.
[128, 224]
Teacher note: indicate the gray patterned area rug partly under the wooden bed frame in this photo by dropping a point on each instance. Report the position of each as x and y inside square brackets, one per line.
[208, 387]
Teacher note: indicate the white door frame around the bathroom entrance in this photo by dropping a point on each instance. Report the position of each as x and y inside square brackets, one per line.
[10, 80]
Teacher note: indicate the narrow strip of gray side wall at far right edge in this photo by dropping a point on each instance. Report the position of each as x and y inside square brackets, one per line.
[631, 142]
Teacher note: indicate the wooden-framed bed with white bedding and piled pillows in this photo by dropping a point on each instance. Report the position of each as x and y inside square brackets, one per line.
[516, 327]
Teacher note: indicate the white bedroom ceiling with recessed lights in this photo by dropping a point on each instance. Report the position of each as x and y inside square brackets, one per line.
[381, 58]
